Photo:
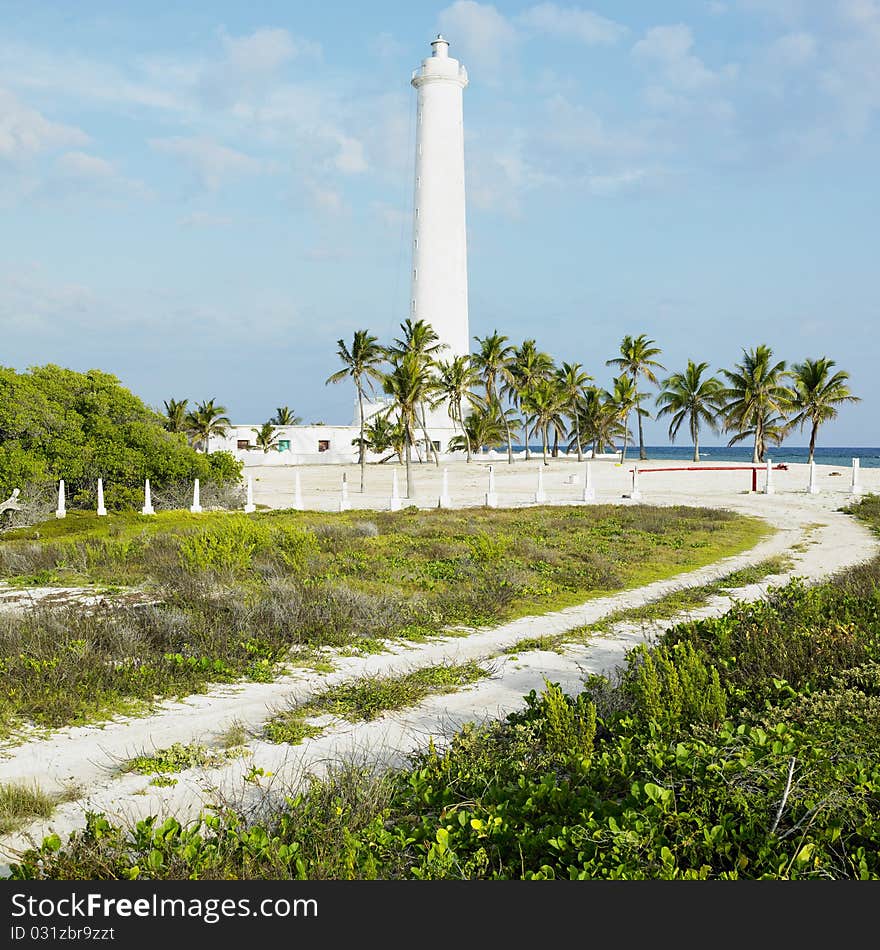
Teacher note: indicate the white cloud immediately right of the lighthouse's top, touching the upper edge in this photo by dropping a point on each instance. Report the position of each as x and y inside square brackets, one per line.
[478, 35]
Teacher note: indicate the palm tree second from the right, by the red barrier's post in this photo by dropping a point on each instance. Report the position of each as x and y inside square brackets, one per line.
[756, 399]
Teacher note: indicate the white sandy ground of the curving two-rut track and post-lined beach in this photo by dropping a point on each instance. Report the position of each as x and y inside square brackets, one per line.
[811, 528]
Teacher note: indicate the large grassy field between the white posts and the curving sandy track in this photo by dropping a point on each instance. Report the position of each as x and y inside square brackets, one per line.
[248, 597]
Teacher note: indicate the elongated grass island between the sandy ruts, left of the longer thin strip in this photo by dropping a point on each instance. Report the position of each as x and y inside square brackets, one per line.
[368, 698]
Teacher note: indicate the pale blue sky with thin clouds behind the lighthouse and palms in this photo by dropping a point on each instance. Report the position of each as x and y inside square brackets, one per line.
[202, 198]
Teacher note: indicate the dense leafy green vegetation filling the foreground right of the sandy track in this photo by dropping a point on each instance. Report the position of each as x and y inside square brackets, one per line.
[742, 746]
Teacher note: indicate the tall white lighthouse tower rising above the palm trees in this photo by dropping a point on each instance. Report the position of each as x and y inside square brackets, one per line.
[439, 274]
